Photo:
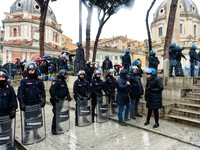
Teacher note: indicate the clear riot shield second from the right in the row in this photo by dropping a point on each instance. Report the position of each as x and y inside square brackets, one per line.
[102, 109]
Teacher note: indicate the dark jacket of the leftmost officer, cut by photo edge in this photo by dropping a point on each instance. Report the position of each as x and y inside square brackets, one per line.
[8, 100]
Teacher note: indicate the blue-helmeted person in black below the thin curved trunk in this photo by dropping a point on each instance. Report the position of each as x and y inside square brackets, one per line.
[153, 60]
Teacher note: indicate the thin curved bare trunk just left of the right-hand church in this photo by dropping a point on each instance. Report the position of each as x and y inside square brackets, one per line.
[147, 25]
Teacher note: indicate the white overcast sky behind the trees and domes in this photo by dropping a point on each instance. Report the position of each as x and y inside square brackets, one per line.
[130, 22]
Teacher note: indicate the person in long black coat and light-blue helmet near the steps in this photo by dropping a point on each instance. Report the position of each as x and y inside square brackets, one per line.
[153, 95]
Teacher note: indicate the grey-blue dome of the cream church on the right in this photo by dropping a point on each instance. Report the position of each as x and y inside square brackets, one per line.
[184, 5]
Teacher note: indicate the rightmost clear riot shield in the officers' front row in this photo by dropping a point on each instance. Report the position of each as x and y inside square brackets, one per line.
[112, 104]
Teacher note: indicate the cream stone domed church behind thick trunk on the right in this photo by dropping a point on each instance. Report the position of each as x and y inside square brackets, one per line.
[186, 29]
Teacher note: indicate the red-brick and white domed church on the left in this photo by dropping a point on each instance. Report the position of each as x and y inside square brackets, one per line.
[21, 32]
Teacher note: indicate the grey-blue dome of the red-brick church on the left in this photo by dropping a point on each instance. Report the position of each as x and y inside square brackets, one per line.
[30, 6]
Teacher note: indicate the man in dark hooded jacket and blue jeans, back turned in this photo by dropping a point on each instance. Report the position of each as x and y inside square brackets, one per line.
[122, 96]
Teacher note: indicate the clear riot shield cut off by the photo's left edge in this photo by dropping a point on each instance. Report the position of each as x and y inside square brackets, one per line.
[7, 129]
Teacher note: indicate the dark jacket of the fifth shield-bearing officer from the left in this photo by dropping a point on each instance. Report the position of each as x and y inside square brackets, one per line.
[96, 86]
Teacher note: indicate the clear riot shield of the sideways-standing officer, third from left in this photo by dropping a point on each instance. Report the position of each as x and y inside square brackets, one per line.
[62, 117]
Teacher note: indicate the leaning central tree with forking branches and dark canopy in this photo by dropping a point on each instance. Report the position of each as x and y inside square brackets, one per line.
[106, 8]
